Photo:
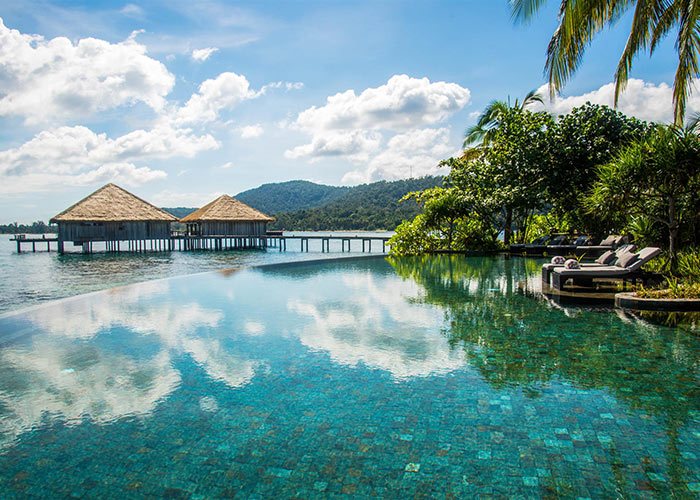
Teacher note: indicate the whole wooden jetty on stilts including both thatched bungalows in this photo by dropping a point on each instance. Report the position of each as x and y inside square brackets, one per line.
[114, 220]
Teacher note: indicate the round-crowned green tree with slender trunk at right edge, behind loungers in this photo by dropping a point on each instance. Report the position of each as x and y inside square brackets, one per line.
[656, 177]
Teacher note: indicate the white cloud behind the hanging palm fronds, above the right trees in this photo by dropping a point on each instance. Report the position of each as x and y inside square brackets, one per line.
[641, 99]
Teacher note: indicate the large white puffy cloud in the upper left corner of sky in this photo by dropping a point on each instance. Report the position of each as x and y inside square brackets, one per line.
[53, 80]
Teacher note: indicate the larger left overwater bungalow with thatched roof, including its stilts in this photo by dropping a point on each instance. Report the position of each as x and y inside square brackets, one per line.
[112, 215]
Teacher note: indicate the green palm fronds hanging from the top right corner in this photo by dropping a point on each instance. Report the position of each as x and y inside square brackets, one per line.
[581, 20]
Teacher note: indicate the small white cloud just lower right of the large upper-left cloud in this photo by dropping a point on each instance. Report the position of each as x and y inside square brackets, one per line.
[214, 96]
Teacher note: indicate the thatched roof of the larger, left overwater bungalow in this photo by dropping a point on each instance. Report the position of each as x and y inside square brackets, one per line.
[111, 203]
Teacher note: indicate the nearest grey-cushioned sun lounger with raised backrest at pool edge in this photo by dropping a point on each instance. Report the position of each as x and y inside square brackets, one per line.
[627, 268]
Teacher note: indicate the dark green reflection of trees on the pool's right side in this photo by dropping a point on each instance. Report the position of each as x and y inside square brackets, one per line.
[515, 340]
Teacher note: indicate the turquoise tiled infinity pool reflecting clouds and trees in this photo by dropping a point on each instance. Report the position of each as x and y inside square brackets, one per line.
[415, 377]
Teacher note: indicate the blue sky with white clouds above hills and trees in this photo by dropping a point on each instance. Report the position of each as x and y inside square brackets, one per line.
[182, 101]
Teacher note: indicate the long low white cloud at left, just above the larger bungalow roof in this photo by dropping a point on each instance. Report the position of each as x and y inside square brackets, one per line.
[79, 156]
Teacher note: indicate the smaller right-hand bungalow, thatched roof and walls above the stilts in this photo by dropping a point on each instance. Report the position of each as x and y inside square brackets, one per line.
[226, 216]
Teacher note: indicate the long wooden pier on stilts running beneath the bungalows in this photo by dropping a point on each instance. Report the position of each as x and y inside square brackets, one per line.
[182, 242]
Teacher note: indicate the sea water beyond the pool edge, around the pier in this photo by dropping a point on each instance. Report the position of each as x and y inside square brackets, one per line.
[32, 278]
